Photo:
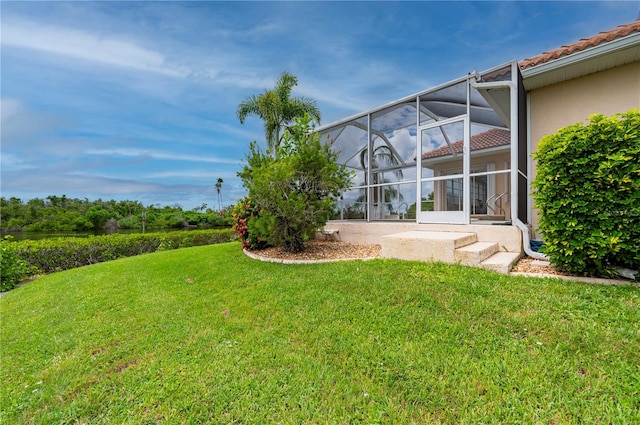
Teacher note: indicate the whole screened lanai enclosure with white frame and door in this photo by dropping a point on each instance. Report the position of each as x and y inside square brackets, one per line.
[445, 155]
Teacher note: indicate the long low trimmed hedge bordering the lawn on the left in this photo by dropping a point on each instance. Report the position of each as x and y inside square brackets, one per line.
[53, 255]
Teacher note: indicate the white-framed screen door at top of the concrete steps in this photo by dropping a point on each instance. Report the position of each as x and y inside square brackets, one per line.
[444, 197]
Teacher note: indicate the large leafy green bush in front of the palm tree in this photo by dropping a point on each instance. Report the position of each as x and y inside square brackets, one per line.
[296, 190]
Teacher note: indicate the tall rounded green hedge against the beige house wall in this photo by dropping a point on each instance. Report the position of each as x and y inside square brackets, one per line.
[587, 190]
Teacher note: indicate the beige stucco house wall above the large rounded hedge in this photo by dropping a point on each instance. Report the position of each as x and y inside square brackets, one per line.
[608, 92]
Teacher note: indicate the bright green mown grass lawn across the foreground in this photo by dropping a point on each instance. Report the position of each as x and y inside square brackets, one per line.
[207, 335]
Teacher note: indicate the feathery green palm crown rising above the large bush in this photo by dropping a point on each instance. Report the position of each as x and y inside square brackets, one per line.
[278, 109]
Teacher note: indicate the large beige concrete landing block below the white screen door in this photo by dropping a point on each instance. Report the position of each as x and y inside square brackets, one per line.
[425, 245]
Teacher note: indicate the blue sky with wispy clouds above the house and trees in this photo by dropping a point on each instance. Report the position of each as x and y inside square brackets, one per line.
[137, 100]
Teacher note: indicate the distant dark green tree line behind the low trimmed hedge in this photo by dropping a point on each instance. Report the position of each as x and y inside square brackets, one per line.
[60, 213]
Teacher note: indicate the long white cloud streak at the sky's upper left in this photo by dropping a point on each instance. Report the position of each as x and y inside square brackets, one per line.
[84, 45]
